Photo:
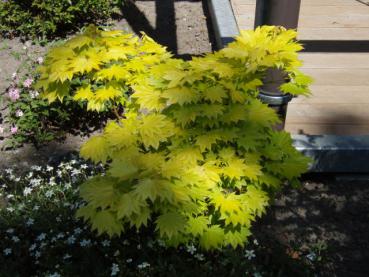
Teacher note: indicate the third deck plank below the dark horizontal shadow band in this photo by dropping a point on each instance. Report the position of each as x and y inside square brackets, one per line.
[335, 95]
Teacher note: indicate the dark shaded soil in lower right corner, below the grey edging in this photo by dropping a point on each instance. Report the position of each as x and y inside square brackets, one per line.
[332, 210]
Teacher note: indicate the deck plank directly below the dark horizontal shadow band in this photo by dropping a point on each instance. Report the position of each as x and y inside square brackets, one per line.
[335, 60]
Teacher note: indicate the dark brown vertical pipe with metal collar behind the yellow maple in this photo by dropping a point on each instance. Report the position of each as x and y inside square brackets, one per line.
[280, 13]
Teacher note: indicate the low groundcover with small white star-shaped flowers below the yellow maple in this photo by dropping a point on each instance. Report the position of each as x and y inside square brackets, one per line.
[40, 236]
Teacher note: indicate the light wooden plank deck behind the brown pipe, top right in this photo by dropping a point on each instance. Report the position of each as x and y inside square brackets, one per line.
[340, 95]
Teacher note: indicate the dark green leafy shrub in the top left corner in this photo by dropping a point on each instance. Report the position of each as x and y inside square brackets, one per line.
[50, 18]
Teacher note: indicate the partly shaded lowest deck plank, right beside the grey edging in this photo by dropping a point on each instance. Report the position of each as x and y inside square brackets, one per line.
[327, 129]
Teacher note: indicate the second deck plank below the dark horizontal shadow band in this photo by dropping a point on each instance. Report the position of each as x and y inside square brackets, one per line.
[339, 77]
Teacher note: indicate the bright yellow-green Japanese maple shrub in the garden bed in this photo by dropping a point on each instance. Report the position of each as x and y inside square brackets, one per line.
[195, 153]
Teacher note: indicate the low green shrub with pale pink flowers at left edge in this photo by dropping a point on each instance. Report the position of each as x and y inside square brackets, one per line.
[31, 119]
